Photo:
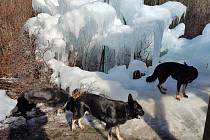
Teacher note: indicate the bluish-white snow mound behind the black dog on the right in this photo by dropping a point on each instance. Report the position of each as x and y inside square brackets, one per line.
[194, 51]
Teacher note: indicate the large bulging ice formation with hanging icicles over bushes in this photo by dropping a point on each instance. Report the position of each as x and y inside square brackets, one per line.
[86, 26]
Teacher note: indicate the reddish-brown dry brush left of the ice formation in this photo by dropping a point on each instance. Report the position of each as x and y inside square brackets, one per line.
[17, 50]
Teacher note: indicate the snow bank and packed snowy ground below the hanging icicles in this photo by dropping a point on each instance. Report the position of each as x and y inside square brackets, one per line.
[165, 116]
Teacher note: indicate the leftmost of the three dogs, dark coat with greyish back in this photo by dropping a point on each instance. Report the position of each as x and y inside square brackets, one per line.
[54, 97]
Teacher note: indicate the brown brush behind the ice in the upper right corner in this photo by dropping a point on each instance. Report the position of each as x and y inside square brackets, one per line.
[198, 15]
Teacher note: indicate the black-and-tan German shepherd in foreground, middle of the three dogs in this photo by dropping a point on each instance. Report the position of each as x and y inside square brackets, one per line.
[112, 112]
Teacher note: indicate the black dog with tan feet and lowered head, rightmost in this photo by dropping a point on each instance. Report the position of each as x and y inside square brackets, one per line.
[183, 73]
